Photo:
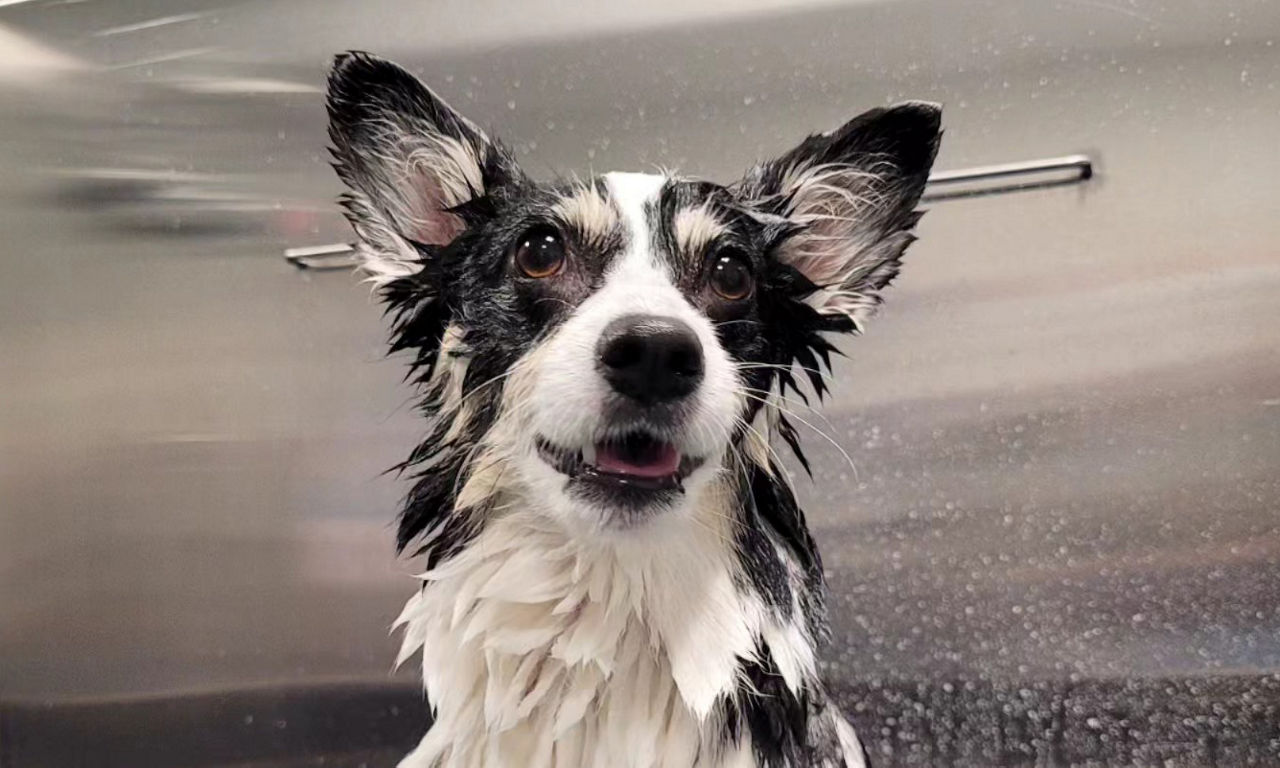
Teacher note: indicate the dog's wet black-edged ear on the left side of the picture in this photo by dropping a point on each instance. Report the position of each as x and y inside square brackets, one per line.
[412, 162]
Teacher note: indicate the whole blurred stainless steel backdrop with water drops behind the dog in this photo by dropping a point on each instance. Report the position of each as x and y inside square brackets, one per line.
[1057, 538]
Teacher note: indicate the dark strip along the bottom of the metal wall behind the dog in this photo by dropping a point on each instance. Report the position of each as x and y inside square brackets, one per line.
[1212, 721]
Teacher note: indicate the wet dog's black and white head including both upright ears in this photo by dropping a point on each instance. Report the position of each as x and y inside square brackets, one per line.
[615, 345]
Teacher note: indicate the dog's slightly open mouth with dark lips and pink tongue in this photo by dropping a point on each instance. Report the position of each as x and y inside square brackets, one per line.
[634, 460]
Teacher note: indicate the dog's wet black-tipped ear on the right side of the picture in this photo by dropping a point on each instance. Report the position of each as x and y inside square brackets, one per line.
[849, 198]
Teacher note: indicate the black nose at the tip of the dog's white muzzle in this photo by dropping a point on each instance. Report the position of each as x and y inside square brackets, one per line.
[651, 359]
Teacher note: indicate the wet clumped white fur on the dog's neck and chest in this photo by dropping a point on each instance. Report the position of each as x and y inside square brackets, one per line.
[619, 650]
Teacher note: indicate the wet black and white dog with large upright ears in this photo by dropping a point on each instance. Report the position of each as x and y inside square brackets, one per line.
[618, 570]
